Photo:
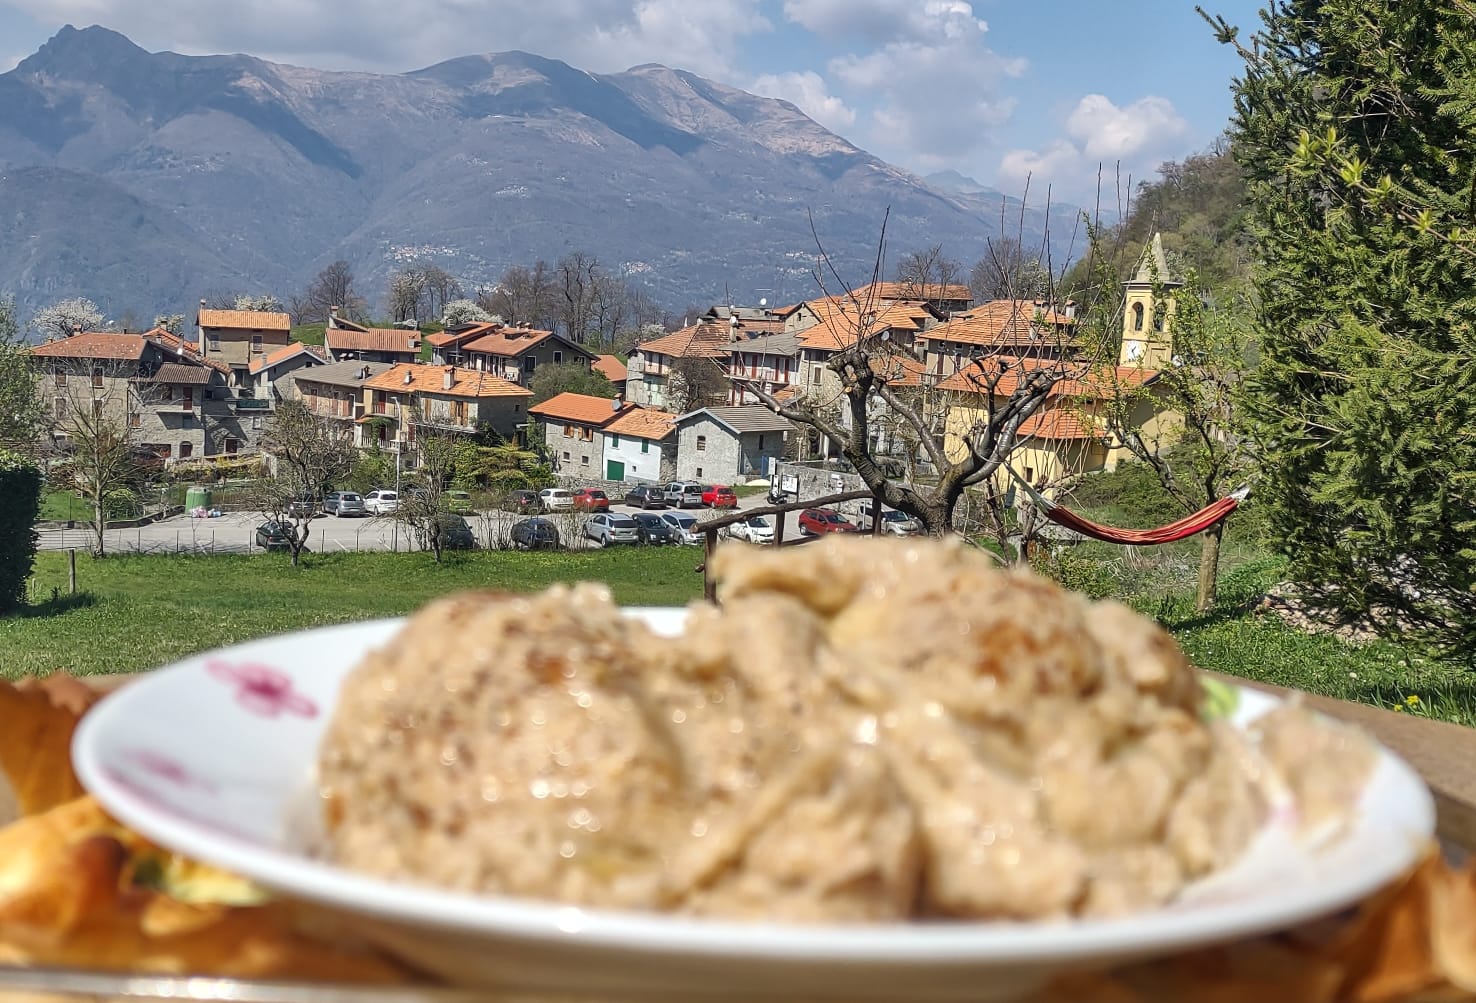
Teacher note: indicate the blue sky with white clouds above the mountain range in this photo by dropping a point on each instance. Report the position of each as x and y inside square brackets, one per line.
[999, 91]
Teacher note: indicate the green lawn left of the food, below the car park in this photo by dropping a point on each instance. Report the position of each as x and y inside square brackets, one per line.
[141, 613]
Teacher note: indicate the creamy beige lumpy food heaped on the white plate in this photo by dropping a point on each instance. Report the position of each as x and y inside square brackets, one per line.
[863, 731]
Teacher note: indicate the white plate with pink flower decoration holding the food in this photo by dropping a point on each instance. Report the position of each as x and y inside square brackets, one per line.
[213, 757]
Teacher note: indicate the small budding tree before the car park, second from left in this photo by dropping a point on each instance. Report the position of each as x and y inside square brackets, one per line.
[311, 455]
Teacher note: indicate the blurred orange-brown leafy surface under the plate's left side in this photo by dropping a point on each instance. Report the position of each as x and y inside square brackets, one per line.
[80, 890]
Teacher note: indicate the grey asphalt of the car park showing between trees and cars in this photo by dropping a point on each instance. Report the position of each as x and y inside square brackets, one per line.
[235, 533]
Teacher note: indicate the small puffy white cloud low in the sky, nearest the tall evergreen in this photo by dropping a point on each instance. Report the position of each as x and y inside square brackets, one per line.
[1100, 138]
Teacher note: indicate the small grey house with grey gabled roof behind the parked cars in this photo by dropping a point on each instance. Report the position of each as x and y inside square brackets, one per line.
[727, 445]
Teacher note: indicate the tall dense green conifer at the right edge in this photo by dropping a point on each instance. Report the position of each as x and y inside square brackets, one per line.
[1354, 125]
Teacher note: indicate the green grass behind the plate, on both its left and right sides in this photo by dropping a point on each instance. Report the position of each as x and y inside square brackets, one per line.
[141, 613]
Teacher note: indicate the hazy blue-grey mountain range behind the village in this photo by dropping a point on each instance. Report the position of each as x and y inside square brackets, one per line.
[147, 181]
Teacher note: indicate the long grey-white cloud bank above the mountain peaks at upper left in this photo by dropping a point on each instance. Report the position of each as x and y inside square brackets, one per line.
[393, 36]
